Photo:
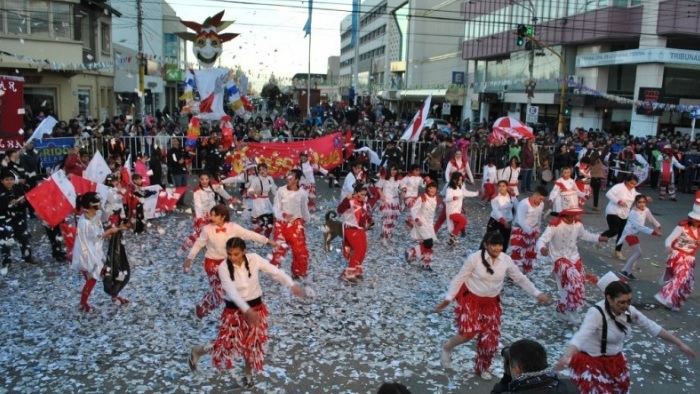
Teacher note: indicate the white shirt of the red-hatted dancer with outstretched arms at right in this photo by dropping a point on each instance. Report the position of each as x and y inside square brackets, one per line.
[560, 238]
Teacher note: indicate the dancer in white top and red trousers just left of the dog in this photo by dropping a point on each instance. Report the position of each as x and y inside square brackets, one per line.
[291, 210]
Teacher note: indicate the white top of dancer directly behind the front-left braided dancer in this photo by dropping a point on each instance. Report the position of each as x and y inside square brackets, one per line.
[215, 241]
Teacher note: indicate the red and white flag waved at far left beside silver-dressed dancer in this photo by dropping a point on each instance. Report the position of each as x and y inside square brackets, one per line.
[54, 199]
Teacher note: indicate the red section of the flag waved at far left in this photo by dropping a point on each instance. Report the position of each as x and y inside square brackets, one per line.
[50, 203]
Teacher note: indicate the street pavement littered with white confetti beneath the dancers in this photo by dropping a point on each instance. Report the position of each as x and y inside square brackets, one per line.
[343, 339]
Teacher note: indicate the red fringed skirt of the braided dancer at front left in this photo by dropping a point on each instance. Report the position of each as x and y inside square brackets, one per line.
[238, 339]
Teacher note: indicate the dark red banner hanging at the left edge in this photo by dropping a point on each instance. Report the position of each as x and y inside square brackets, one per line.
[11, 112]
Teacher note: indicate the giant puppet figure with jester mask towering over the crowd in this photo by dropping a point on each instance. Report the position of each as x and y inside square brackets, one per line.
[210, 83]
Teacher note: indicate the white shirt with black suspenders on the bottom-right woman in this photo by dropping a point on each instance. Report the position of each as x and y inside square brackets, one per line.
[590, 334]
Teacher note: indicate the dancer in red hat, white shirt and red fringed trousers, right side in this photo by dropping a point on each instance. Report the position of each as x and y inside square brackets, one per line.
[559, 242]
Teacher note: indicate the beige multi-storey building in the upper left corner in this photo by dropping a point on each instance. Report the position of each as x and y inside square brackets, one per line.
[64, 51]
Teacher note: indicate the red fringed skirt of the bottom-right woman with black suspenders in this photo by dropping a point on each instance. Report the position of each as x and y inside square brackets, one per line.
[600, 375]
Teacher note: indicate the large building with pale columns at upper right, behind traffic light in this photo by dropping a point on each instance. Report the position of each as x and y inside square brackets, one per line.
[625, 49]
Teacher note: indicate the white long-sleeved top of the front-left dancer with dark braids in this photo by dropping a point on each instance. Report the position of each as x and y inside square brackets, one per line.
[244, 288]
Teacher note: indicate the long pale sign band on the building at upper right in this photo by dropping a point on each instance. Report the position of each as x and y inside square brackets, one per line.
[636, 56]
